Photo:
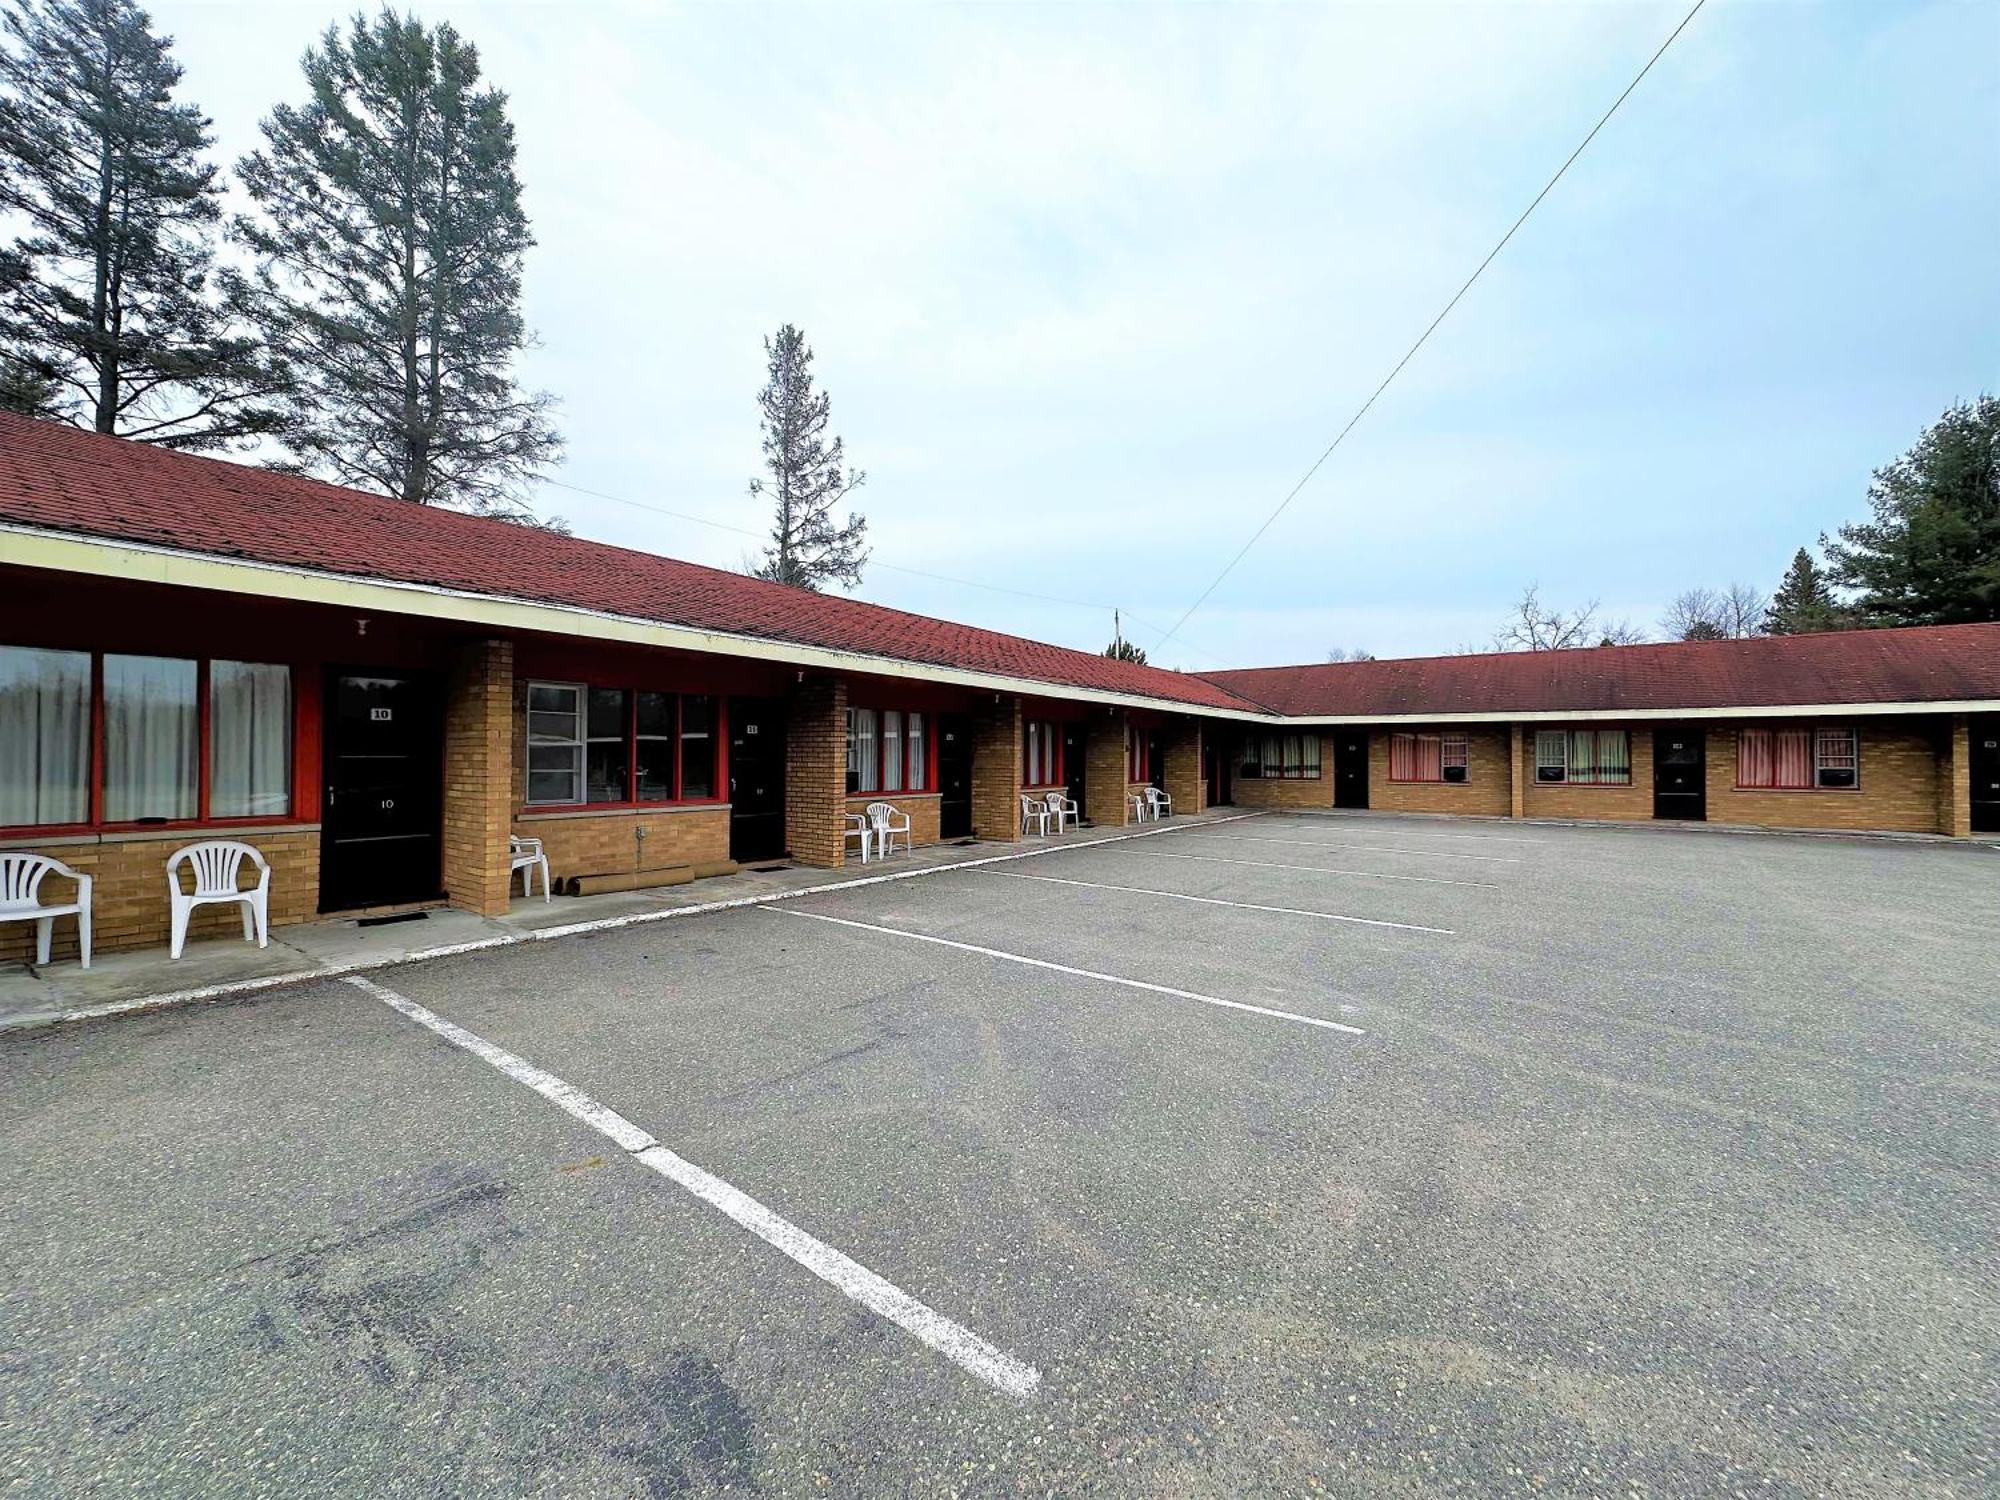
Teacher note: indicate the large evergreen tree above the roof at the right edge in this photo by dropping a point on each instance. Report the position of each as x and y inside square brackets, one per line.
[1933, 551]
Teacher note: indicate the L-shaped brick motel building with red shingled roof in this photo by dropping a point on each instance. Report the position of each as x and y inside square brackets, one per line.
[377, 697]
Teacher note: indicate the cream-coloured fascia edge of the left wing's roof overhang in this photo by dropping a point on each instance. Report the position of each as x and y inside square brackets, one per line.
[95, 557]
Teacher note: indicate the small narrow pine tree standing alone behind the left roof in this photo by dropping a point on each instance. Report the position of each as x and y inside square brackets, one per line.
[809, 477]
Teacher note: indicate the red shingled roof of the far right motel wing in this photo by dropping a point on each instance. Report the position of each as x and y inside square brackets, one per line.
[1853, 667]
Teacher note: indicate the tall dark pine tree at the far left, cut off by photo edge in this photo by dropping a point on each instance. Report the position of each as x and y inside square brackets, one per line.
[105, 309]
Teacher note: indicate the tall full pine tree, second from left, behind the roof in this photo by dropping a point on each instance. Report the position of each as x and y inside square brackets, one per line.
[391, 241]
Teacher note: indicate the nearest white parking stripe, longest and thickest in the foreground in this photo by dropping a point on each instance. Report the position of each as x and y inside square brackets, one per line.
[955, 1343]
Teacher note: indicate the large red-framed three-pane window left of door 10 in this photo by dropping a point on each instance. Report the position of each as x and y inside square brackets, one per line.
[155, 719]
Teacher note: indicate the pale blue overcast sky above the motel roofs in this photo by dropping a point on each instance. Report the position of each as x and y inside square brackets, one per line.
[1093, 287]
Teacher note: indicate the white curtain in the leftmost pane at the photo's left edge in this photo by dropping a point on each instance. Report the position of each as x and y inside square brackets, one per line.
[45, 737]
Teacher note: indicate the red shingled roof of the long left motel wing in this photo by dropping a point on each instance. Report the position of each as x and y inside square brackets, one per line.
[71, 481]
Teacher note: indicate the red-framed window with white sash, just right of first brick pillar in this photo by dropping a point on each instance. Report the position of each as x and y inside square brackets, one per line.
[619, 747]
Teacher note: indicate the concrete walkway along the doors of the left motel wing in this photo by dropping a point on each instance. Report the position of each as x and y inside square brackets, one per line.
[147, 979]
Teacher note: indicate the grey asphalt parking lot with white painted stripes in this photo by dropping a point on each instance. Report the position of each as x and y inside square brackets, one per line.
[1371, 1157]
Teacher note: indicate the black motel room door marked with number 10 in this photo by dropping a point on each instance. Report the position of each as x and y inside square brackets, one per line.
[381, 815]
